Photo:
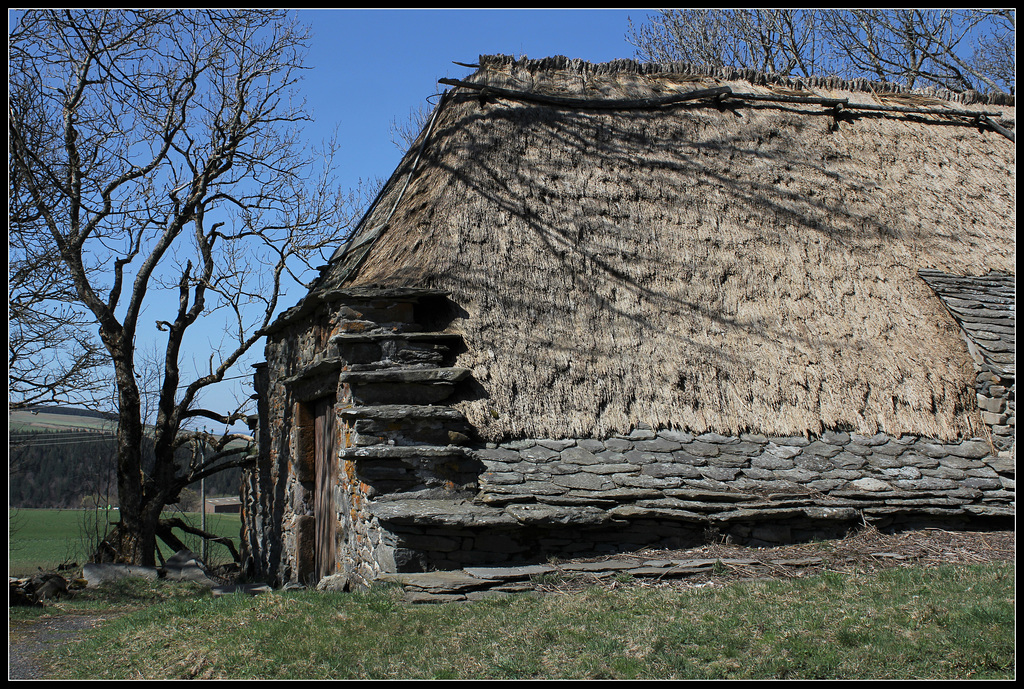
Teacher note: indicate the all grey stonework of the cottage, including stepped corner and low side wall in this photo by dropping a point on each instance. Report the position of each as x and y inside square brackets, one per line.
[412, 492]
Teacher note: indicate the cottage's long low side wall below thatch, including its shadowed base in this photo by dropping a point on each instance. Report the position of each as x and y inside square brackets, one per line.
[543, 499]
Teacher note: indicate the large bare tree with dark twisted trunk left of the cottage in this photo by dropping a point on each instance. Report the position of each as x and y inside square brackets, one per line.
[159, 155]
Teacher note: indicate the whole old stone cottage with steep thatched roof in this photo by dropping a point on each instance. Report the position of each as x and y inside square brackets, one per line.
[601, 308]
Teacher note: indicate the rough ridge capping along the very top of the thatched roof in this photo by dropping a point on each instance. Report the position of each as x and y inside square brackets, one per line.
[755, 77]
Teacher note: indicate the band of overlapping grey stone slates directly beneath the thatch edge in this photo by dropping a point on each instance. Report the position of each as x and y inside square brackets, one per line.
[872, 473]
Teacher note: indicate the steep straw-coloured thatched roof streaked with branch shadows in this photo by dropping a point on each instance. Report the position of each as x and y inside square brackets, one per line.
[716, 266]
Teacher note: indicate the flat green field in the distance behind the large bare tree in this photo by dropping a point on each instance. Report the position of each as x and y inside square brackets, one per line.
[46, 539]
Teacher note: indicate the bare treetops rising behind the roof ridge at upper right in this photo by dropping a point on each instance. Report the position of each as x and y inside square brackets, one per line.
[956, 50]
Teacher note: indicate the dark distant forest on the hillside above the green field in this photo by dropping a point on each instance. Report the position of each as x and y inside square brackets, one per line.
[75, 469]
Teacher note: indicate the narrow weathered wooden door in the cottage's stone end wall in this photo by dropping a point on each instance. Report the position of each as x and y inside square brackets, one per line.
[326, 463]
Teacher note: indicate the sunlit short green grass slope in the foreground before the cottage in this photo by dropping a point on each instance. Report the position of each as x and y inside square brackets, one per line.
[947, 623]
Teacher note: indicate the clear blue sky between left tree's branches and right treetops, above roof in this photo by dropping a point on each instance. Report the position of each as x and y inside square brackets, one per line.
[371, 68]
